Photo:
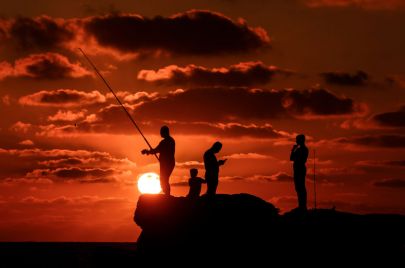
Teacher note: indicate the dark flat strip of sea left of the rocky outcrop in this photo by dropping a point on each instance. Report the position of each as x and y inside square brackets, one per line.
[31, 254]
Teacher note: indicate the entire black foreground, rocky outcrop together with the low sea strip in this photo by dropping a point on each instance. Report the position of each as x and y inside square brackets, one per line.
[231, 230]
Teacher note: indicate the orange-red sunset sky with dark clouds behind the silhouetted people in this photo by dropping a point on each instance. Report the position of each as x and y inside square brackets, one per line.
[251, 74]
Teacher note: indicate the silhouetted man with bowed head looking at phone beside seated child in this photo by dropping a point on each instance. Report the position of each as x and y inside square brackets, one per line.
[212, 167]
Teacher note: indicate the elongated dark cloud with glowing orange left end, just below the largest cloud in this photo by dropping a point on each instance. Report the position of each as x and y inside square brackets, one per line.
[242, 74]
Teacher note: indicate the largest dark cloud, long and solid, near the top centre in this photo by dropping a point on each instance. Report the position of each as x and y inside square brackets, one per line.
[193, 32]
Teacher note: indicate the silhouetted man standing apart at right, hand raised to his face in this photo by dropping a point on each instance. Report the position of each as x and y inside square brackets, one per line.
[299, 155]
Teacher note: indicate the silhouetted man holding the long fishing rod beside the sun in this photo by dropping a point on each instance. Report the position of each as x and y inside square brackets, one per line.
[165, 149]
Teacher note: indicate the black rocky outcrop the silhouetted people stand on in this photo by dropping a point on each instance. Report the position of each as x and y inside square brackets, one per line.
[242, 227]
